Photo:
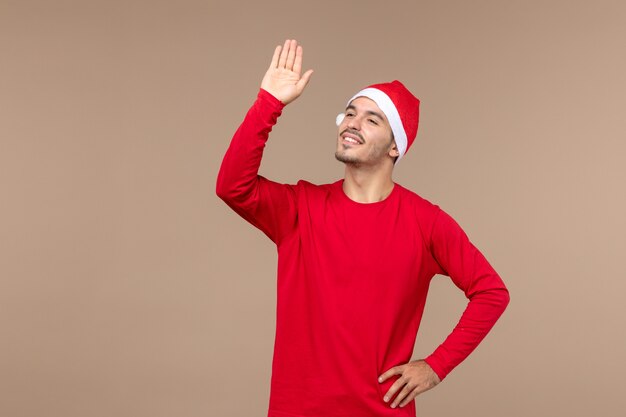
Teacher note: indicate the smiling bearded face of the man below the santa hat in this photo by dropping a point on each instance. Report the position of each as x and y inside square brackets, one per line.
[365, 136]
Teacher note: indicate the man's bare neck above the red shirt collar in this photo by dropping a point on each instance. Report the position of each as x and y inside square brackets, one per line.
[367, 186]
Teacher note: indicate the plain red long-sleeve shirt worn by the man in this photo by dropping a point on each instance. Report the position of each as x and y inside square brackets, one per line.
[352, 281]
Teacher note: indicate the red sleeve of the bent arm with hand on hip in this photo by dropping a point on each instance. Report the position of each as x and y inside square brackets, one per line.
[472, 273]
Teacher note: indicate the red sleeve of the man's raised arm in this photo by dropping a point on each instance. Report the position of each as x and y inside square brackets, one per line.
[267, 205]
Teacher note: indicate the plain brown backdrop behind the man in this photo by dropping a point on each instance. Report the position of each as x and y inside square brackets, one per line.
[128, 289]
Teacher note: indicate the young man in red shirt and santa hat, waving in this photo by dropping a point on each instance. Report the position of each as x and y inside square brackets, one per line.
[355, 258]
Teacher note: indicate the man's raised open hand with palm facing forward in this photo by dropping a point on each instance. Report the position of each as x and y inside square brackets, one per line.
[282, 79]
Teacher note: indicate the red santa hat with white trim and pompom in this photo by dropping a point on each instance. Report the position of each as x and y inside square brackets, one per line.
[401, 108]
